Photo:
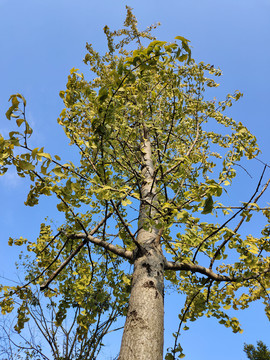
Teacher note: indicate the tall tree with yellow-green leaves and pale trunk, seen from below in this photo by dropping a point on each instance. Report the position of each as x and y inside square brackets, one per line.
[153, 157]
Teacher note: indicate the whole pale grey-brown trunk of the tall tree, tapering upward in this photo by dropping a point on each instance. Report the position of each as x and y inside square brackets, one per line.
[143, 332]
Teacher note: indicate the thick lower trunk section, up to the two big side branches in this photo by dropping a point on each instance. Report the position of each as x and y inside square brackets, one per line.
[143, 332]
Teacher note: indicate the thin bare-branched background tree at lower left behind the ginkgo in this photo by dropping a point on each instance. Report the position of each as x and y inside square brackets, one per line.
[56, 326]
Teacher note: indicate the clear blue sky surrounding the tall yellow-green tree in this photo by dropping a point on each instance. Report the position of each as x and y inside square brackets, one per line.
[40, 41]
